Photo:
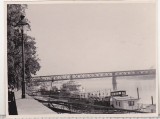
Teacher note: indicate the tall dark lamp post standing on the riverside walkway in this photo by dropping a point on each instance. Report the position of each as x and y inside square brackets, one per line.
[21, 24]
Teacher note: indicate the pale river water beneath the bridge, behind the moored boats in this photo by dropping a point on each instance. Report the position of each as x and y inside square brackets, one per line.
[145, 84]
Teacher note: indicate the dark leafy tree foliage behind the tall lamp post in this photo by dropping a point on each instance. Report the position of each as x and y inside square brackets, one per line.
[14, 48]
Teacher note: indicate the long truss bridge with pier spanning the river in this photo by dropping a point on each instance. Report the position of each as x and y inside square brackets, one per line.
[94, 75]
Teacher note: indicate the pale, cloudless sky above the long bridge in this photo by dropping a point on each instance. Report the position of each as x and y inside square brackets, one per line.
[83, 38]
